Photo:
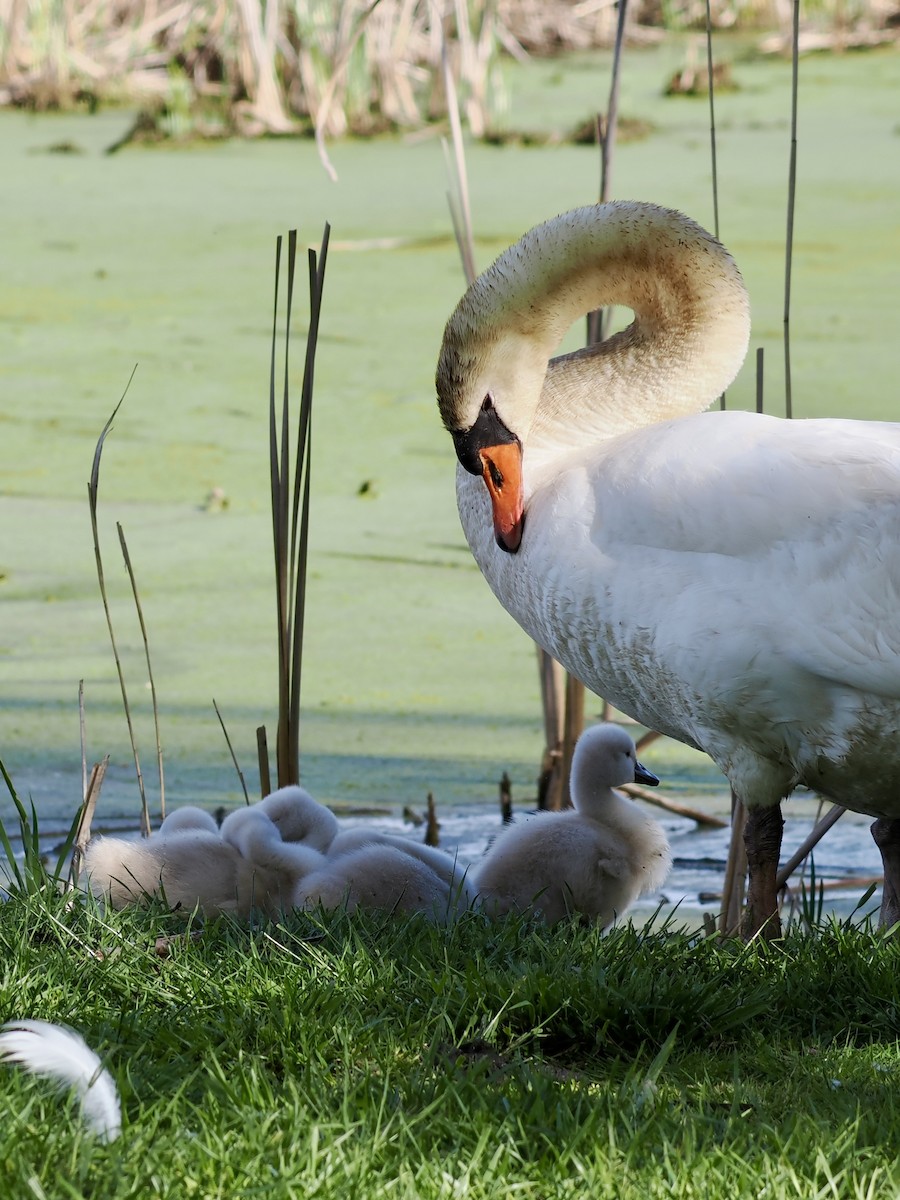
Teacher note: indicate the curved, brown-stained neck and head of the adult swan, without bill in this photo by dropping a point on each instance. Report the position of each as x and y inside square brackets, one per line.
[685, 347]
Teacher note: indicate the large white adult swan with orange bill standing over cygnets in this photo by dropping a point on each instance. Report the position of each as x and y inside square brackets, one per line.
[729, 579]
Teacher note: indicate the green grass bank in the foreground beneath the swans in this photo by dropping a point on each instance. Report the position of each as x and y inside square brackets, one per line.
[383, 1058]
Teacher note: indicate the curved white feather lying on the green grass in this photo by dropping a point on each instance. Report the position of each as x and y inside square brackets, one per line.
[65, 1059]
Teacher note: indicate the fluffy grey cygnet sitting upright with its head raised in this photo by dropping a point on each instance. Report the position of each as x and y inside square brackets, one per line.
[593, 861]
